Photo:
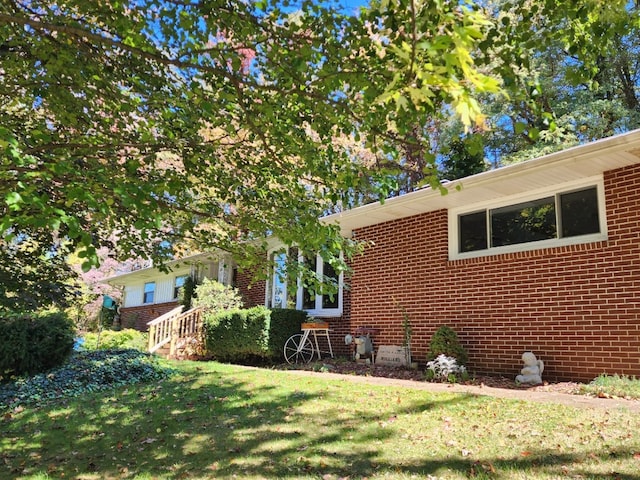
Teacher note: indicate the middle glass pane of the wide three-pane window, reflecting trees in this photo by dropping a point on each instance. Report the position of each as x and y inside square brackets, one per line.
[524, 222]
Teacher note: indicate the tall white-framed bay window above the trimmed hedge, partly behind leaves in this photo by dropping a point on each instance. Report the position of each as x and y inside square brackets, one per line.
[301, 293]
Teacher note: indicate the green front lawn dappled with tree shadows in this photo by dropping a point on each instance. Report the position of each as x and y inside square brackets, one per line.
[220, 421]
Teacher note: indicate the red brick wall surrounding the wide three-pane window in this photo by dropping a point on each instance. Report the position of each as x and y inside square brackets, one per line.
[576, 307]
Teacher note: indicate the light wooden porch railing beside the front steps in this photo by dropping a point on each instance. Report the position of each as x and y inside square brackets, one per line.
[172, 326]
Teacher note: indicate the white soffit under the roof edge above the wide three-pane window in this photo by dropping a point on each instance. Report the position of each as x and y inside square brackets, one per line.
[561, 167]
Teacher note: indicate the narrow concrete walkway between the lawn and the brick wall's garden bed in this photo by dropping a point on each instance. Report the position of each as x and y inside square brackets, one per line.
[579, 401]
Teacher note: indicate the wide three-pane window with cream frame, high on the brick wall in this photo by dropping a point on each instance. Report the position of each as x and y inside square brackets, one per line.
[569, 214]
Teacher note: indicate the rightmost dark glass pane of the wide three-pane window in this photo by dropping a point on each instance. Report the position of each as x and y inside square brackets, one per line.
[579, 212]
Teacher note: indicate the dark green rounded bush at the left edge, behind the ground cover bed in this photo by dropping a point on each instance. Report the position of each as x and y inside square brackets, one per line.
[34, 343]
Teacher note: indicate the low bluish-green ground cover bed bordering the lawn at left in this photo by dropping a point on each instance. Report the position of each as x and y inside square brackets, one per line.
[85, 372]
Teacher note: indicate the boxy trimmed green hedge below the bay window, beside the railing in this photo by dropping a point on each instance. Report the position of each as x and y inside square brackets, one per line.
[238, 335]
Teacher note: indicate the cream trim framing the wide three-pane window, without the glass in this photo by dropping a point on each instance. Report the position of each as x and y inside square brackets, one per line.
[556, 190]
